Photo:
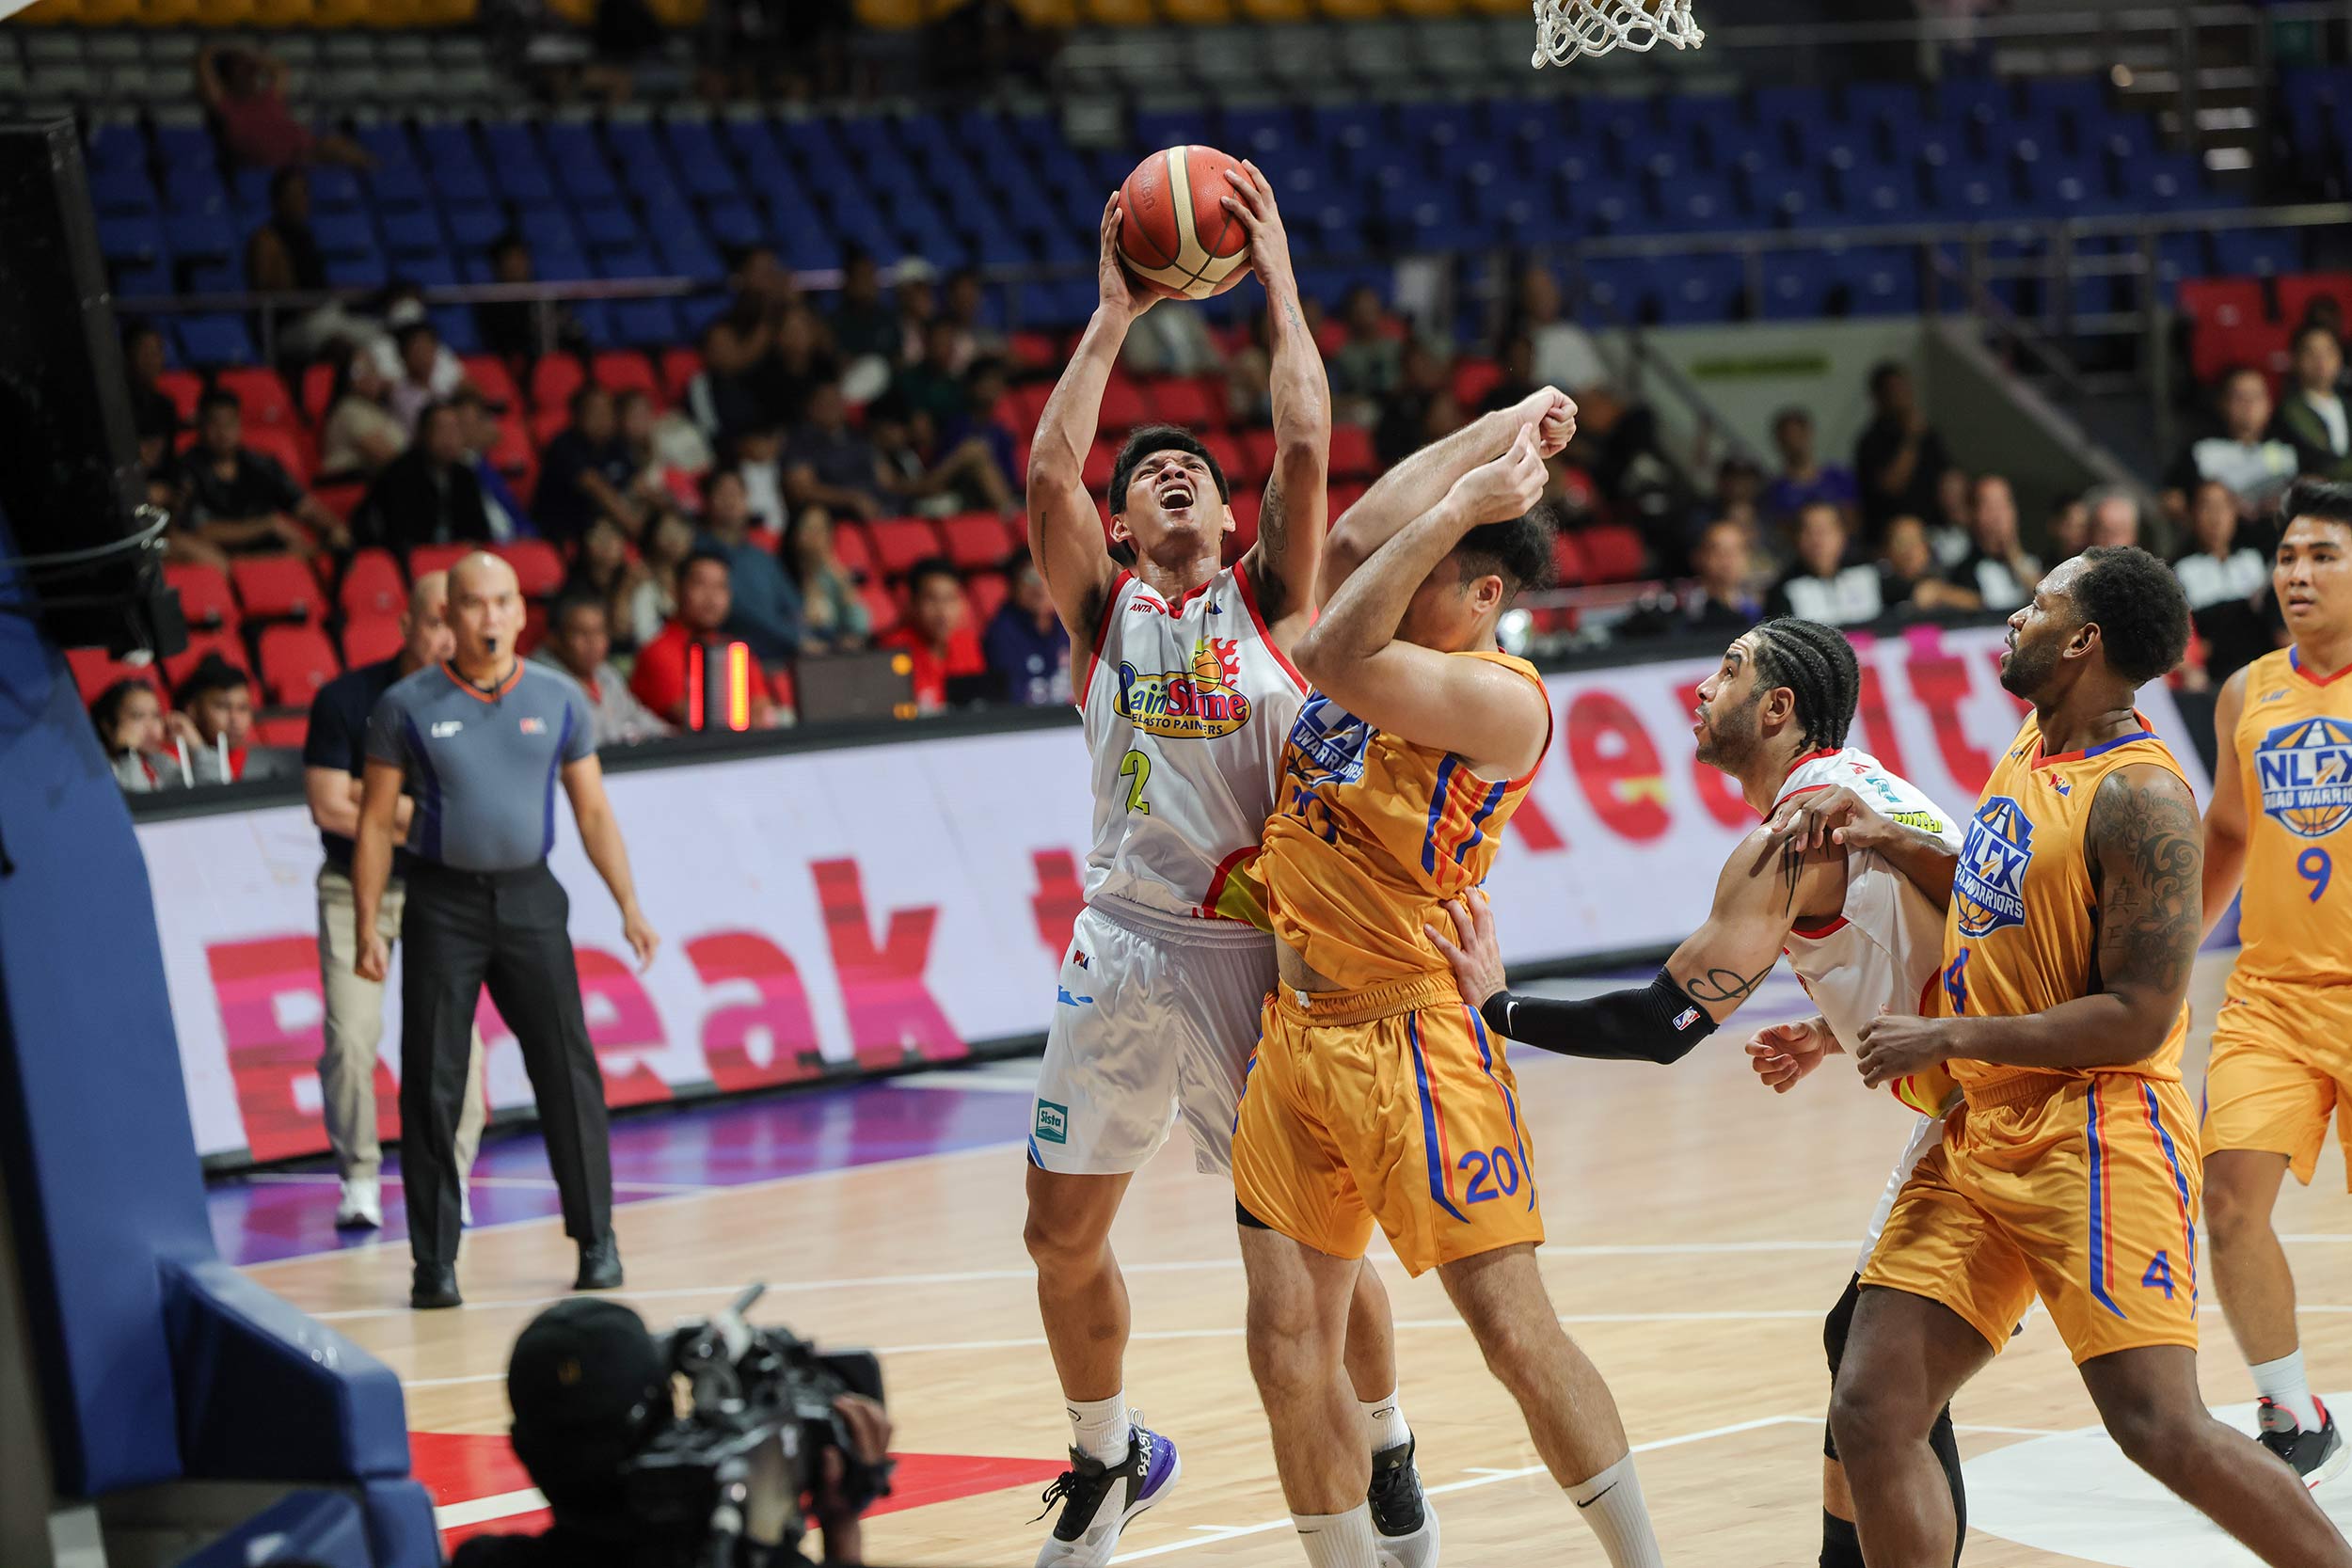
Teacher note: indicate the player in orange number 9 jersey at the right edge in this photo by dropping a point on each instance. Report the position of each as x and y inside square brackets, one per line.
[2283, 1045]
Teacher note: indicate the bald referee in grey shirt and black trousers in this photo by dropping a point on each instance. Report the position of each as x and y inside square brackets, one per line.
[483, 742]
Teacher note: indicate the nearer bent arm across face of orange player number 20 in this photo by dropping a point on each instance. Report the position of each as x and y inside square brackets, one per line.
[1488, 716]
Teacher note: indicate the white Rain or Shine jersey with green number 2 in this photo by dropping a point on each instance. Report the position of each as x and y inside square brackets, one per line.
[1187, 716]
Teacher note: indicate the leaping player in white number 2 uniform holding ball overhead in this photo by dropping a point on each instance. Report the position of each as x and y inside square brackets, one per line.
[1187, 697]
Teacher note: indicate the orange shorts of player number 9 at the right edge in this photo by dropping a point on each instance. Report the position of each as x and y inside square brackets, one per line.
[2280, 1068]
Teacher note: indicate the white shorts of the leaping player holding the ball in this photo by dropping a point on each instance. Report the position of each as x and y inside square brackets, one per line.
[1156, 1019]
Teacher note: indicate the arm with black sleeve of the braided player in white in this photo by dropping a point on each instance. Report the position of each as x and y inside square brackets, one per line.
[1763, 890]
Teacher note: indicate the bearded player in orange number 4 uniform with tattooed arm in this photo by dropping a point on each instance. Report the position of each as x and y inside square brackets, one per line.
[2071, 1172]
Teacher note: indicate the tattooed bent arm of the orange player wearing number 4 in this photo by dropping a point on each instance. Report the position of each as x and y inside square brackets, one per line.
[2149, 869]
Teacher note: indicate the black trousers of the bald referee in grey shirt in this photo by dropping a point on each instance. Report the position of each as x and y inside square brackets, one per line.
[509, 932]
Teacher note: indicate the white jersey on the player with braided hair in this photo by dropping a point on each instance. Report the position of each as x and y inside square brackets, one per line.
[1885, 949]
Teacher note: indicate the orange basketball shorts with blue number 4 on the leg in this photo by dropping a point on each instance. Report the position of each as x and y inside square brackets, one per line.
[2085, 1198]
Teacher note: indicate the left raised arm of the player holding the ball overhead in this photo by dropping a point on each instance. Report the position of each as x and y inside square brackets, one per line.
[1067, 532]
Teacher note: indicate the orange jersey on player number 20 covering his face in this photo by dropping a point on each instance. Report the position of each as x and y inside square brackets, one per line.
[1370, 833]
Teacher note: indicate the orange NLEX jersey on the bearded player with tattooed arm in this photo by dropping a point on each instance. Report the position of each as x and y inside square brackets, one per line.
[2024, 925]
